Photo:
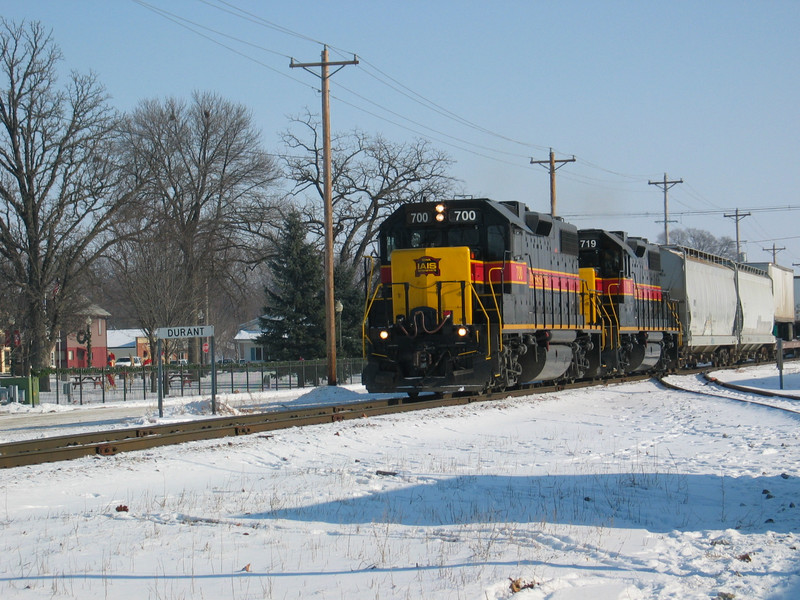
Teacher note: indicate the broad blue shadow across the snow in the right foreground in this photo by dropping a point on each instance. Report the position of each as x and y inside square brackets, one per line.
[657, 502]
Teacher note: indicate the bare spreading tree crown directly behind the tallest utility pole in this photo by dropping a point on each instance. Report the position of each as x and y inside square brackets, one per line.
[371, 177]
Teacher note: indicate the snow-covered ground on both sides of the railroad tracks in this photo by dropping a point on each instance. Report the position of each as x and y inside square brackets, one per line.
[627, 491]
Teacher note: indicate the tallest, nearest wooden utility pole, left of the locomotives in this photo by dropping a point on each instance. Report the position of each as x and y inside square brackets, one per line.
[330, 314]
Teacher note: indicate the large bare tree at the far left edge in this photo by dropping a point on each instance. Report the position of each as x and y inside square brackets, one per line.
[58, 184]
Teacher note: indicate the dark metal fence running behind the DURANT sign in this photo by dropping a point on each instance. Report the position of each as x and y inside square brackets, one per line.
[80, 386]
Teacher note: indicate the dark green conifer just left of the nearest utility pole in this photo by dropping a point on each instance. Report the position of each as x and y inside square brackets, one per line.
[293, 325]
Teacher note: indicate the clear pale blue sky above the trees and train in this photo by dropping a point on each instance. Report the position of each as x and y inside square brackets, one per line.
[706, 91]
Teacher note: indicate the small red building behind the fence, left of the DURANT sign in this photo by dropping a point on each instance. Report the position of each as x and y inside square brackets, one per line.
[72, 349]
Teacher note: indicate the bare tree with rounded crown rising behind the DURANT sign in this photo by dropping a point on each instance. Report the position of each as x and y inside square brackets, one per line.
[207, 191]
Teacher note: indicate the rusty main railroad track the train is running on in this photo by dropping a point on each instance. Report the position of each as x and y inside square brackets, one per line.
[111, 442]
